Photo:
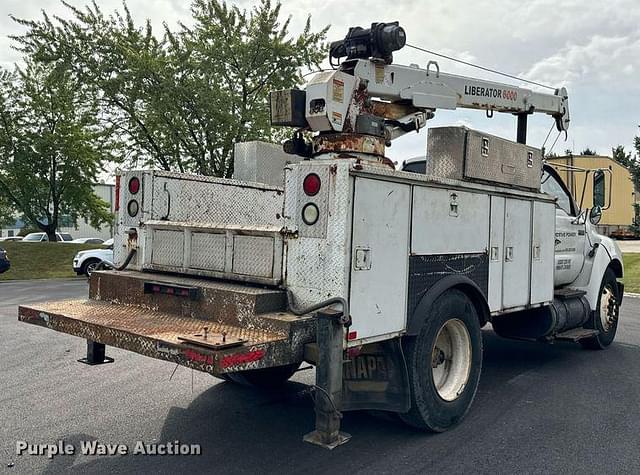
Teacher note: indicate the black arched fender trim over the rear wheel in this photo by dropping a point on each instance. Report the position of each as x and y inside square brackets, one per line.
[461, 282]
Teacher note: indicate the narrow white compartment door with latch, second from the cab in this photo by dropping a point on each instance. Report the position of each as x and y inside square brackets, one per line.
[517, 253]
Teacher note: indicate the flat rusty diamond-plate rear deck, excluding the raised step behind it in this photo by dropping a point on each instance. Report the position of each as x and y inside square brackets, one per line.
[156, 334]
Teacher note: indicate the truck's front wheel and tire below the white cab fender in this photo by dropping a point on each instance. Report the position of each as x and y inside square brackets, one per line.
[605, 317]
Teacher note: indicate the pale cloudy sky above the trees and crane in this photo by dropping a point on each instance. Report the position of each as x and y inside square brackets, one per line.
[591, 47]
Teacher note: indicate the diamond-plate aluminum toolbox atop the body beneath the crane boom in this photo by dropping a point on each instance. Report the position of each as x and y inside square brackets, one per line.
[463, 154]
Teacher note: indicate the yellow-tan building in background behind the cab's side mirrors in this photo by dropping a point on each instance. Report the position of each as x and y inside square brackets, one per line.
[620, 198]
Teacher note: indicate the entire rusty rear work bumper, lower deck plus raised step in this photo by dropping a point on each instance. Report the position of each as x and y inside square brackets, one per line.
[215, 327]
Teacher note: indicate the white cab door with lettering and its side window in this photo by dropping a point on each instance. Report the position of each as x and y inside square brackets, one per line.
[570, 236]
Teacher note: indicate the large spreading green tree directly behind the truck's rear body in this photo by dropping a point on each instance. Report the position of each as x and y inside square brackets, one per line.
[180, 102]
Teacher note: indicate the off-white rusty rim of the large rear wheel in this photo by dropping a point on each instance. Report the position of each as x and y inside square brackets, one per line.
[451, 359]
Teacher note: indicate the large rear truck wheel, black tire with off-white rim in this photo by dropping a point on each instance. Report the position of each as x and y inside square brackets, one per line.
[444, 362]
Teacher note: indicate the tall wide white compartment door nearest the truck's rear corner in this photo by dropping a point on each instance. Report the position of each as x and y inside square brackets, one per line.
[380, 250]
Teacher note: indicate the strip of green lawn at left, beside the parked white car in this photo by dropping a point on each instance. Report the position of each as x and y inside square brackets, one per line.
[41, 260]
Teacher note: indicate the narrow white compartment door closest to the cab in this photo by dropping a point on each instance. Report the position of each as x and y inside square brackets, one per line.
[542, 252]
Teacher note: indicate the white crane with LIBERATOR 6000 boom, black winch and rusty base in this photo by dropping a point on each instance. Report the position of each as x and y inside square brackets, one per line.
[367, 101]
